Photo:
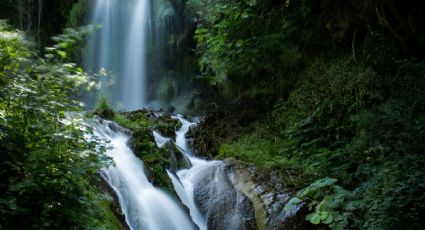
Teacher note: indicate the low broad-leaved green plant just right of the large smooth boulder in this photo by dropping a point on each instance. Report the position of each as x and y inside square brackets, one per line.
[330, 203]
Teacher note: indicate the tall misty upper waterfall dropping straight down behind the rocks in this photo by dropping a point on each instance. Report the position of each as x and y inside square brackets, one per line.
[135, 35]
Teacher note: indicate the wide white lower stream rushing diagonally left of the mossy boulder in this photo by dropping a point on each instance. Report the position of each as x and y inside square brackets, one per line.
[144, 206]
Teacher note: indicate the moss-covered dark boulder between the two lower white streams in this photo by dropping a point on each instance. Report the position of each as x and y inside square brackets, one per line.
[157, 160]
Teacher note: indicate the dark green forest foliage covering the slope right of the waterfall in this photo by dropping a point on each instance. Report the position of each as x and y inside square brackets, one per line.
[333, 89]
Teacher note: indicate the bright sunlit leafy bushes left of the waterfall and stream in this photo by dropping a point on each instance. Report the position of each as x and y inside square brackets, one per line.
[48, 166]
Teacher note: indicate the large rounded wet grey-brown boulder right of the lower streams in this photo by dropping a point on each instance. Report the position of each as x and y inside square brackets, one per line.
[234, 195]
